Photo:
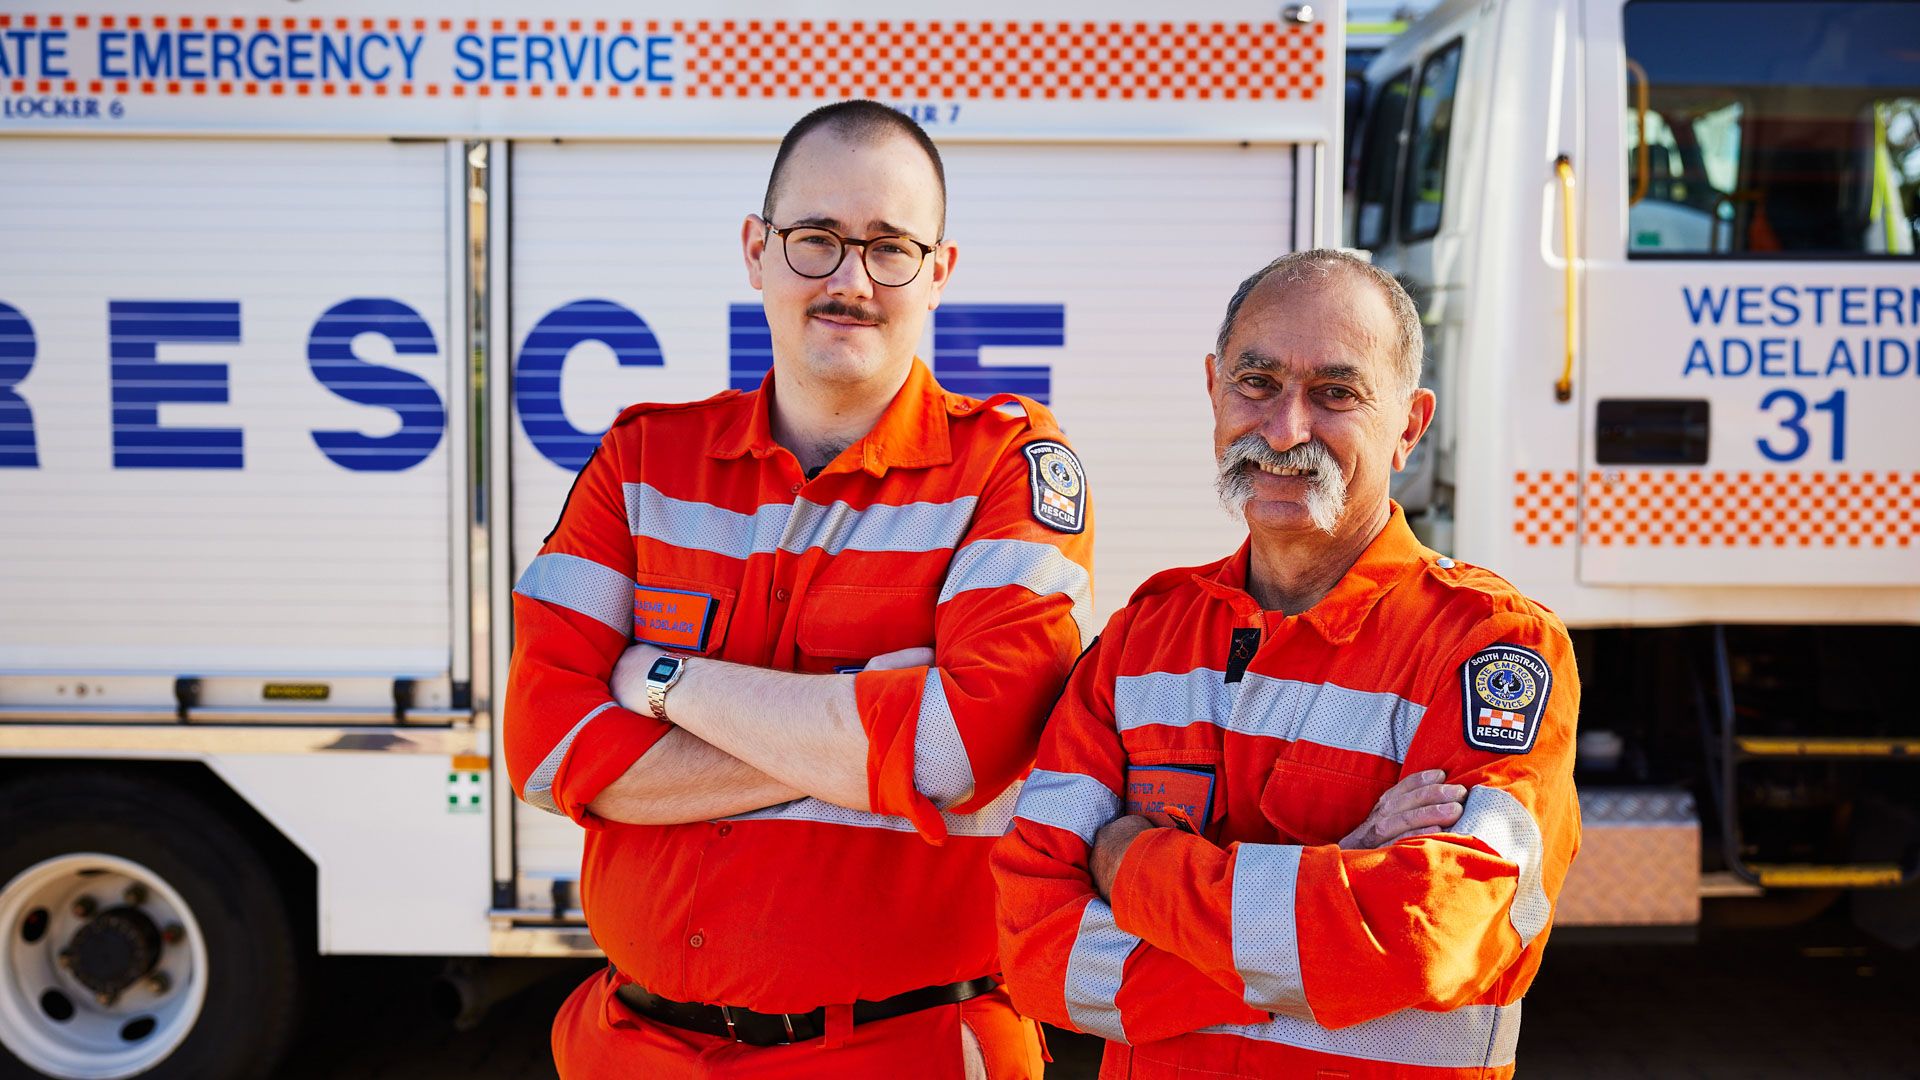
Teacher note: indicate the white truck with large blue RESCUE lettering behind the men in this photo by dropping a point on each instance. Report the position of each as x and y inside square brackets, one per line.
[308, 316]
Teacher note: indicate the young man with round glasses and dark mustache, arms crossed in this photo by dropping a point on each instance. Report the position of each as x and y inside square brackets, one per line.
[788, 654]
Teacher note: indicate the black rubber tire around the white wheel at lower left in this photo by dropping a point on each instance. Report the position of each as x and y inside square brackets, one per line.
[252, 960]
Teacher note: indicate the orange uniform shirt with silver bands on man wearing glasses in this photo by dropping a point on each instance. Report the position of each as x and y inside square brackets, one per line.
[953, 524]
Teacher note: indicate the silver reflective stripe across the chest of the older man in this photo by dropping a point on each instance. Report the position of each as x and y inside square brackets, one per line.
[1278, 708]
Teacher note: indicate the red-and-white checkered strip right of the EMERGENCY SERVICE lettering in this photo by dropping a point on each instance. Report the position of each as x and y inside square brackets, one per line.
[1001, 61]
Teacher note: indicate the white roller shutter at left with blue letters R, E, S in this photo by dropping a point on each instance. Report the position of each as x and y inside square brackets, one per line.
[287, 560]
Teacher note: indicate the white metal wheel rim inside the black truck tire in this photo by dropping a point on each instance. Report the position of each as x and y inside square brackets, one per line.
[93, 1043]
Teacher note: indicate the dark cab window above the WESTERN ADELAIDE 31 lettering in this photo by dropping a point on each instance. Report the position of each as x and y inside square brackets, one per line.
[1773, 130]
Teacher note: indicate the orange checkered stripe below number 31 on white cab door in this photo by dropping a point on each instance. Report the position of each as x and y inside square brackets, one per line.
[1719, 510]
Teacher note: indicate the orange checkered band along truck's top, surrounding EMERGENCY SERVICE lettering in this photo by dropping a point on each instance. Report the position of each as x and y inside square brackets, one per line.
[892, 61]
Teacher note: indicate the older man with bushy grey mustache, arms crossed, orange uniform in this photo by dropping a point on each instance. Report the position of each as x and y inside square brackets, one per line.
[1193, 871]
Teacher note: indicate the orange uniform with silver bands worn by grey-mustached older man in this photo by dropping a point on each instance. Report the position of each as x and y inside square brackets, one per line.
[1260, 948]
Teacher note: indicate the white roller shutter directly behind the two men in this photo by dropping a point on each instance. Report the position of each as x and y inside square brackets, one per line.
[1140, 247]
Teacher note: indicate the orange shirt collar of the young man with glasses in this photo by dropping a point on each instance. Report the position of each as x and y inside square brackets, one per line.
[911, 435]
